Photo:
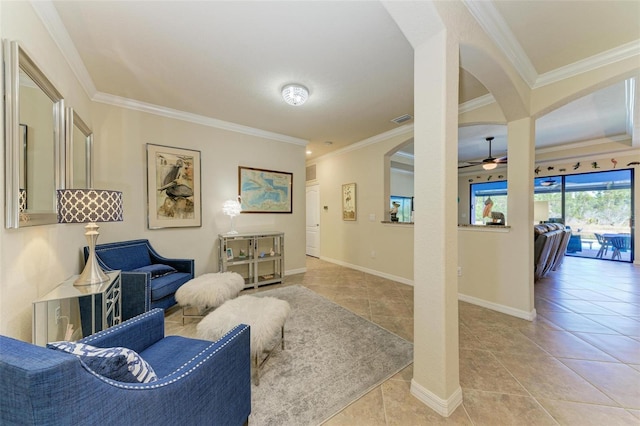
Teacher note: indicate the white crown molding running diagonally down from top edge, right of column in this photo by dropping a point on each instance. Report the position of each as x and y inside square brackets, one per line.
[494, 25]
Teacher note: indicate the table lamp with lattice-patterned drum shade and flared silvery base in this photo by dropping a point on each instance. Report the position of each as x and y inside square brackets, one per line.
[89, 206]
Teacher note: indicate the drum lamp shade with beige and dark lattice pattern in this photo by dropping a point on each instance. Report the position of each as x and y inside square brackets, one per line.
[89, 206]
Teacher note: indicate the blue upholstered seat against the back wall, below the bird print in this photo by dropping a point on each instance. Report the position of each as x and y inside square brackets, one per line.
[146, 283]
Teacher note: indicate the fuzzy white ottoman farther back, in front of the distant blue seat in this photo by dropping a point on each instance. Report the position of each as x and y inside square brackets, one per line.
[208, 291]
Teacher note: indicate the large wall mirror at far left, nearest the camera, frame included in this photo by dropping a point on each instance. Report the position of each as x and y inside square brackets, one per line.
[34, 150]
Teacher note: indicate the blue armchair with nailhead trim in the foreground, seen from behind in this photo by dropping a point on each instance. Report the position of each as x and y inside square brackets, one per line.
[199, 382]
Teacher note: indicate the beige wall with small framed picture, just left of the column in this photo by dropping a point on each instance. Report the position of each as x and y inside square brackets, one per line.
[365, 244]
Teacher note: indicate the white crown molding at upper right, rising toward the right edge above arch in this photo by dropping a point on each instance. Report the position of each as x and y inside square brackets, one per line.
[609, 57]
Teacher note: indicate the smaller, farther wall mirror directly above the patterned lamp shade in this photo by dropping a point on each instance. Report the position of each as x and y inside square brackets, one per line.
[79, 151]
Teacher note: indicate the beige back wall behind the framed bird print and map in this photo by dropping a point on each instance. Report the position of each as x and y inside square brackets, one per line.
[120, 147]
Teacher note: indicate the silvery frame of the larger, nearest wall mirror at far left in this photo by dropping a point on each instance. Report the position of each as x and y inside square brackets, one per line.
[16, 59]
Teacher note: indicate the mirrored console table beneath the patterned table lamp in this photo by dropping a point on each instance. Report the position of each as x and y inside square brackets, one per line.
[71, 312]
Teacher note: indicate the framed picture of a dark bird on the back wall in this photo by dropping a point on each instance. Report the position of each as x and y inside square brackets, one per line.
[173, 187]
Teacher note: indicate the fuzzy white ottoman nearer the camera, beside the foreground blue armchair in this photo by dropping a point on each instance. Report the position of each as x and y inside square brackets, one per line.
[265, 315]
